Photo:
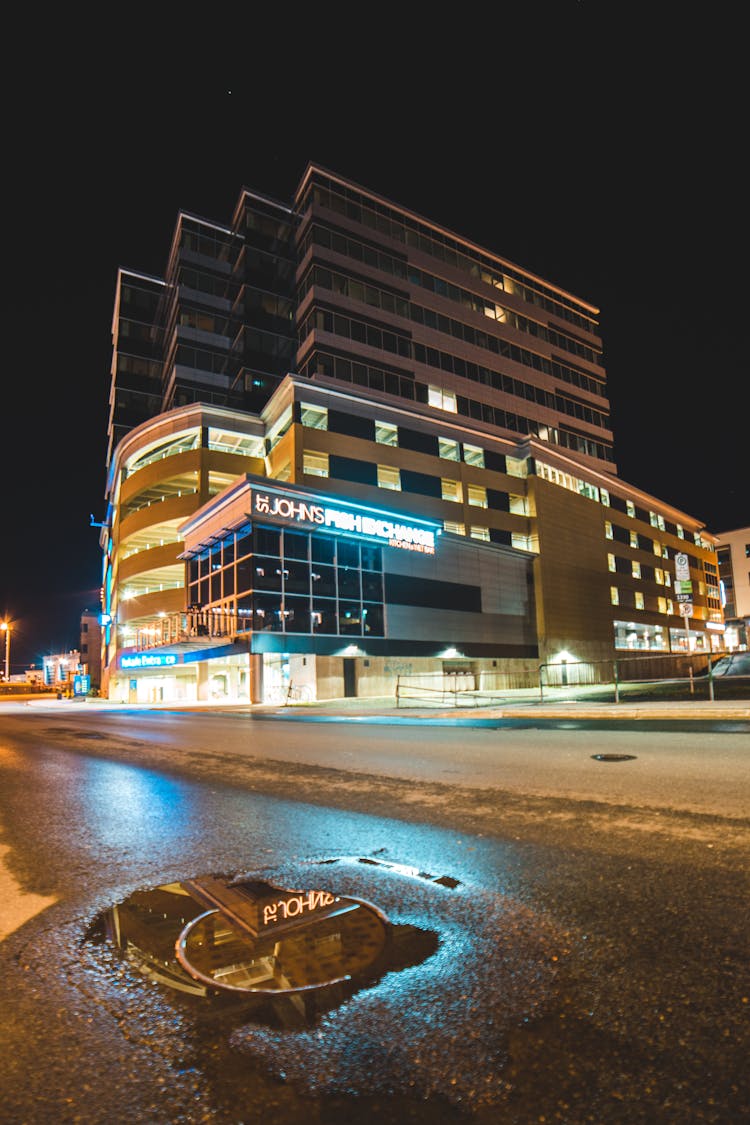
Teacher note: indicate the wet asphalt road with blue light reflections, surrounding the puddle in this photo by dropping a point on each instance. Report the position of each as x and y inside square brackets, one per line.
[592, 959]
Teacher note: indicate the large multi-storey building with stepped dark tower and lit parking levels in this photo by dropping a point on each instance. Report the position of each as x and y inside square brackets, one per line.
[345, 355]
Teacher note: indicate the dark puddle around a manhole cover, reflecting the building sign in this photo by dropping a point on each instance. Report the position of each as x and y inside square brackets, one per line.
[284, 956]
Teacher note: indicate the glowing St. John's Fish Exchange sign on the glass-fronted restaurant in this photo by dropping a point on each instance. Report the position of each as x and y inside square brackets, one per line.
[303, 512]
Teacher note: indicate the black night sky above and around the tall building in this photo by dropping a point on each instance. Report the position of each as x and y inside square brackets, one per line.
[597, 146]
